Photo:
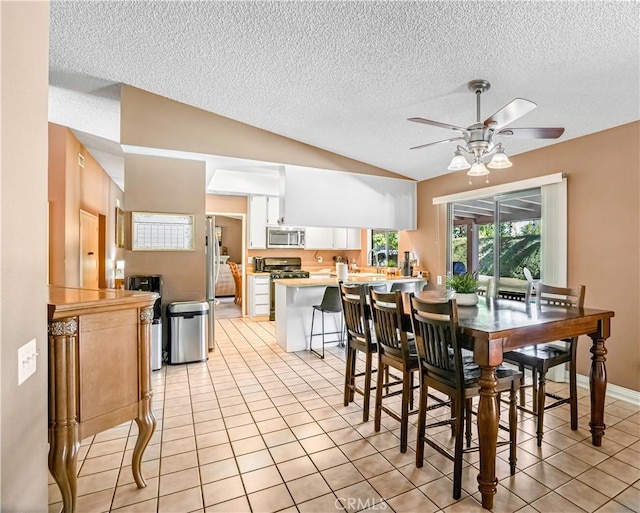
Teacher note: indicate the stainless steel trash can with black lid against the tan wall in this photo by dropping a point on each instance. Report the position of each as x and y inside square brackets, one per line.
[188, 331]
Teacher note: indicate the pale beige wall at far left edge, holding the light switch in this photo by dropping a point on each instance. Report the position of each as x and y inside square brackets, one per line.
[24, 61]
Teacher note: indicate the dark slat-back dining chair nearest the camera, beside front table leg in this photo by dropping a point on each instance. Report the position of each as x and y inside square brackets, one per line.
[442, 367]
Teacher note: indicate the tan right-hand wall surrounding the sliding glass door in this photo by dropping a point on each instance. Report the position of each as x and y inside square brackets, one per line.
[603, 173]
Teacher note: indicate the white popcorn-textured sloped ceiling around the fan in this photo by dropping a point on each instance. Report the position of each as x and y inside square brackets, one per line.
[345, 76]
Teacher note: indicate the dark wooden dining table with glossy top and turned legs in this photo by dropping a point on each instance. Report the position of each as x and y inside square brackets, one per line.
[495, 326]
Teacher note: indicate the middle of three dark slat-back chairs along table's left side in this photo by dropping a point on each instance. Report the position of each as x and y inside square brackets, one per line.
[396, 350]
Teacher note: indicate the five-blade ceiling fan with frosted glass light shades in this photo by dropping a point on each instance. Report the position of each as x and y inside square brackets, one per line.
[479, 136]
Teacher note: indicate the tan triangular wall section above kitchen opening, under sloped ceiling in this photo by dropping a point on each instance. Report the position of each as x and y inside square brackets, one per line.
[155, 121]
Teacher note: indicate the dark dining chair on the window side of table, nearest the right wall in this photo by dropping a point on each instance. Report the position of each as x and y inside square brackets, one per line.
[539, 358]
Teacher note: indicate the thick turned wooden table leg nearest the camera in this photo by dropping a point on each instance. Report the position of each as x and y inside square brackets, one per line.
[488, 435]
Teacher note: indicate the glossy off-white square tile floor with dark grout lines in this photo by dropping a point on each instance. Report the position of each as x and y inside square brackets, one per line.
[256, 429]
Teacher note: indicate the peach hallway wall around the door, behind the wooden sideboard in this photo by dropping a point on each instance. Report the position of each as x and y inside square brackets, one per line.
[71, 189]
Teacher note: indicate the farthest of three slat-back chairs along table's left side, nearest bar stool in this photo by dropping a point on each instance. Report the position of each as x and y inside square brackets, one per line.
[357, 319]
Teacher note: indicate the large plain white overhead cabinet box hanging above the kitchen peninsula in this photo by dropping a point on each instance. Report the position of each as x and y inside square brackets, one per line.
[366, 201]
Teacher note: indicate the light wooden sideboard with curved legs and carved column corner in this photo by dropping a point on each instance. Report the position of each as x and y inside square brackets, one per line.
[99, 374]
